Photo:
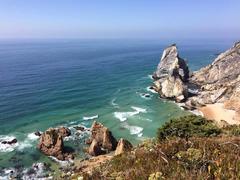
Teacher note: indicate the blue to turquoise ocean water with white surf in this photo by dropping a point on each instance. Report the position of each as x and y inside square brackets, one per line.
[51, 83]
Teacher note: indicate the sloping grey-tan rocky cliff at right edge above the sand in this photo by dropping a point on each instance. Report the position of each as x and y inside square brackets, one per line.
[218, 81]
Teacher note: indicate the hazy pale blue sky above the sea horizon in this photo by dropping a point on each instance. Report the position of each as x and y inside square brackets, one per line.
[120, 19]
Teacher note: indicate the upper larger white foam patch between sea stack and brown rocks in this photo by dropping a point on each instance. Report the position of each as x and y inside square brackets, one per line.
[123, 116]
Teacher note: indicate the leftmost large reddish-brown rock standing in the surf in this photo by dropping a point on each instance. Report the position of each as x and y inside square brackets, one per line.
[51, 144]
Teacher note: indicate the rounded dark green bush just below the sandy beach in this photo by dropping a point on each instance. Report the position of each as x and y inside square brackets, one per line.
[188, 126]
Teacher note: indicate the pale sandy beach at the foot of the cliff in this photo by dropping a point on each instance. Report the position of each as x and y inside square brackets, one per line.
[218, 113]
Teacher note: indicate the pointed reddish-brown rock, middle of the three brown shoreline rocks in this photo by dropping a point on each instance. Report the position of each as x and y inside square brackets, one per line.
[101, 136]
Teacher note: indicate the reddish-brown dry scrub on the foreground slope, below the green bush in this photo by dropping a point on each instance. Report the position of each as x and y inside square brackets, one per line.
[197, 158]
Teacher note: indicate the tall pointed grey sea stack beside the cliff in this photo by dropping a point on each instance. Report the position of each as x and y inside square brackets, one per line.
[171, 75]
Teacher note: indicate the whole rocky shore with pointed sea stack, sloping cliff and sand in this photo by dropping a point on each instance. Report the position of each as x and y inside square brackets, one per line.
[217, 84]
